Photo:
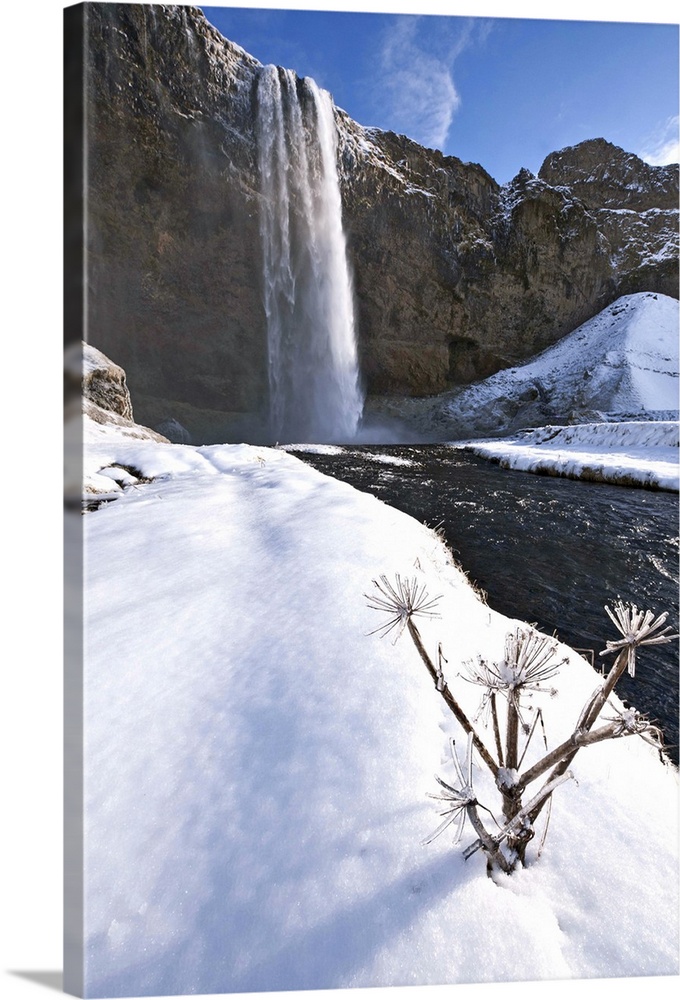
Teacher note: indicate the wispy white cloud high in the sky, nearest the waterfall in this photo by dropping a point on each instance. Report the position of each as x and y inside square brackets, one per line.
[415, 86]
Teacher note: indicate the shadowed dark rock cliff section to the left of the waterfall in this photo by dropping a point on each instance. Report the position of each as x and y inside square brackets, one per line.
[174, 247]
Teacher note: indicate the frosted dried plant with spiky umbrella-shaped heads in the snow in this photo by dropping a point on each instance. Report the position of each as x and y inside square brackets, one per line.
[530, 661]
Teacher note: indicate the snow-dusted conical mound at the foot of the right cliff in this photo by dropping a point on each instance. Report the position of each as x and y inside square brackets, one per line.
[623, 362]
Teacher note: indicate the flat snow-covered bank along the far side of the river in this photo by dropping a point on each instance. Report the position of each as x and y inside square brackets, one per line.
[633, 453]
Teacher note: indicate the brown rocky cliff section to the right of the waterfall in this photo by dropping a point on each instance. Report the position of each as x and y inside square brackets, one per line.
[459, 277]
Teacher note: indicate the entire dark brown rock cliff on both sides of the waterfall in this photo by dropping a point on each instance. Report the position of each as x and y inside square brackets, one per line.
[455, 276]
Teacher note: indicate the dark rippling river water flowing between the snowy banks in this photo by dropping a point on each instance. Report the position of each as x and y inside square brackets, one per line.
[546, 550]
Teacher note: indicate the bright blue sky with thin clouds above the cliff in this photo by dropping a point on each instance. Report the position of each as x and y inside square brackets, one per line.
[499, 91]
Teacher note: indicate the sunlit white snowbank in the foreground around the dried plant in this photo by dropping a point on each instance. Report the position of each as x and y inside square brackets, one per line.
[257, 764]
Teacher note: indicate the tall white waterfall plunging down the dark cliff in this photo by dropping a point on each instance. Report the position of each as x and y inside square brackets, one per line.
[314, 385]
